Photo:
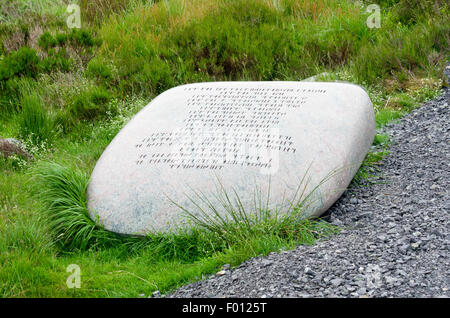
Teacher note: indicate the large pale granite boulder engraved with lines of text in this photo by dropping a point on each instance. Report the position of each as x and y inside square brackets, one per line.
[251, 136]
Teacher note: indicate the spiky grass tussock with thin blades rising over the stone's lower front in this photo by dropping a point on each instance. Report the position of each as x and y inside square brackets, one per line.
[224, 214]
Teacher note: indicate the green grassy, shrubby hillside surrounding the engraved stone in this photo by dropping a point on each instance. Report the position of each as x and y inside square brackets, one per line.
[65, 93]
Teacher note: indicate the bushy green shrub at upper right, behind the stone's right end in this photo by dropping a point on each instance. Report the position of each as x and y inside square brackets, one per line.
[399, 52]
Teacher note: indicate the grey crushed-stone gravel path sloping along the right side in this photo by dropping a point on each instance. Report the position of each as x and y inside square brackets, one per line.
[396, 241]
